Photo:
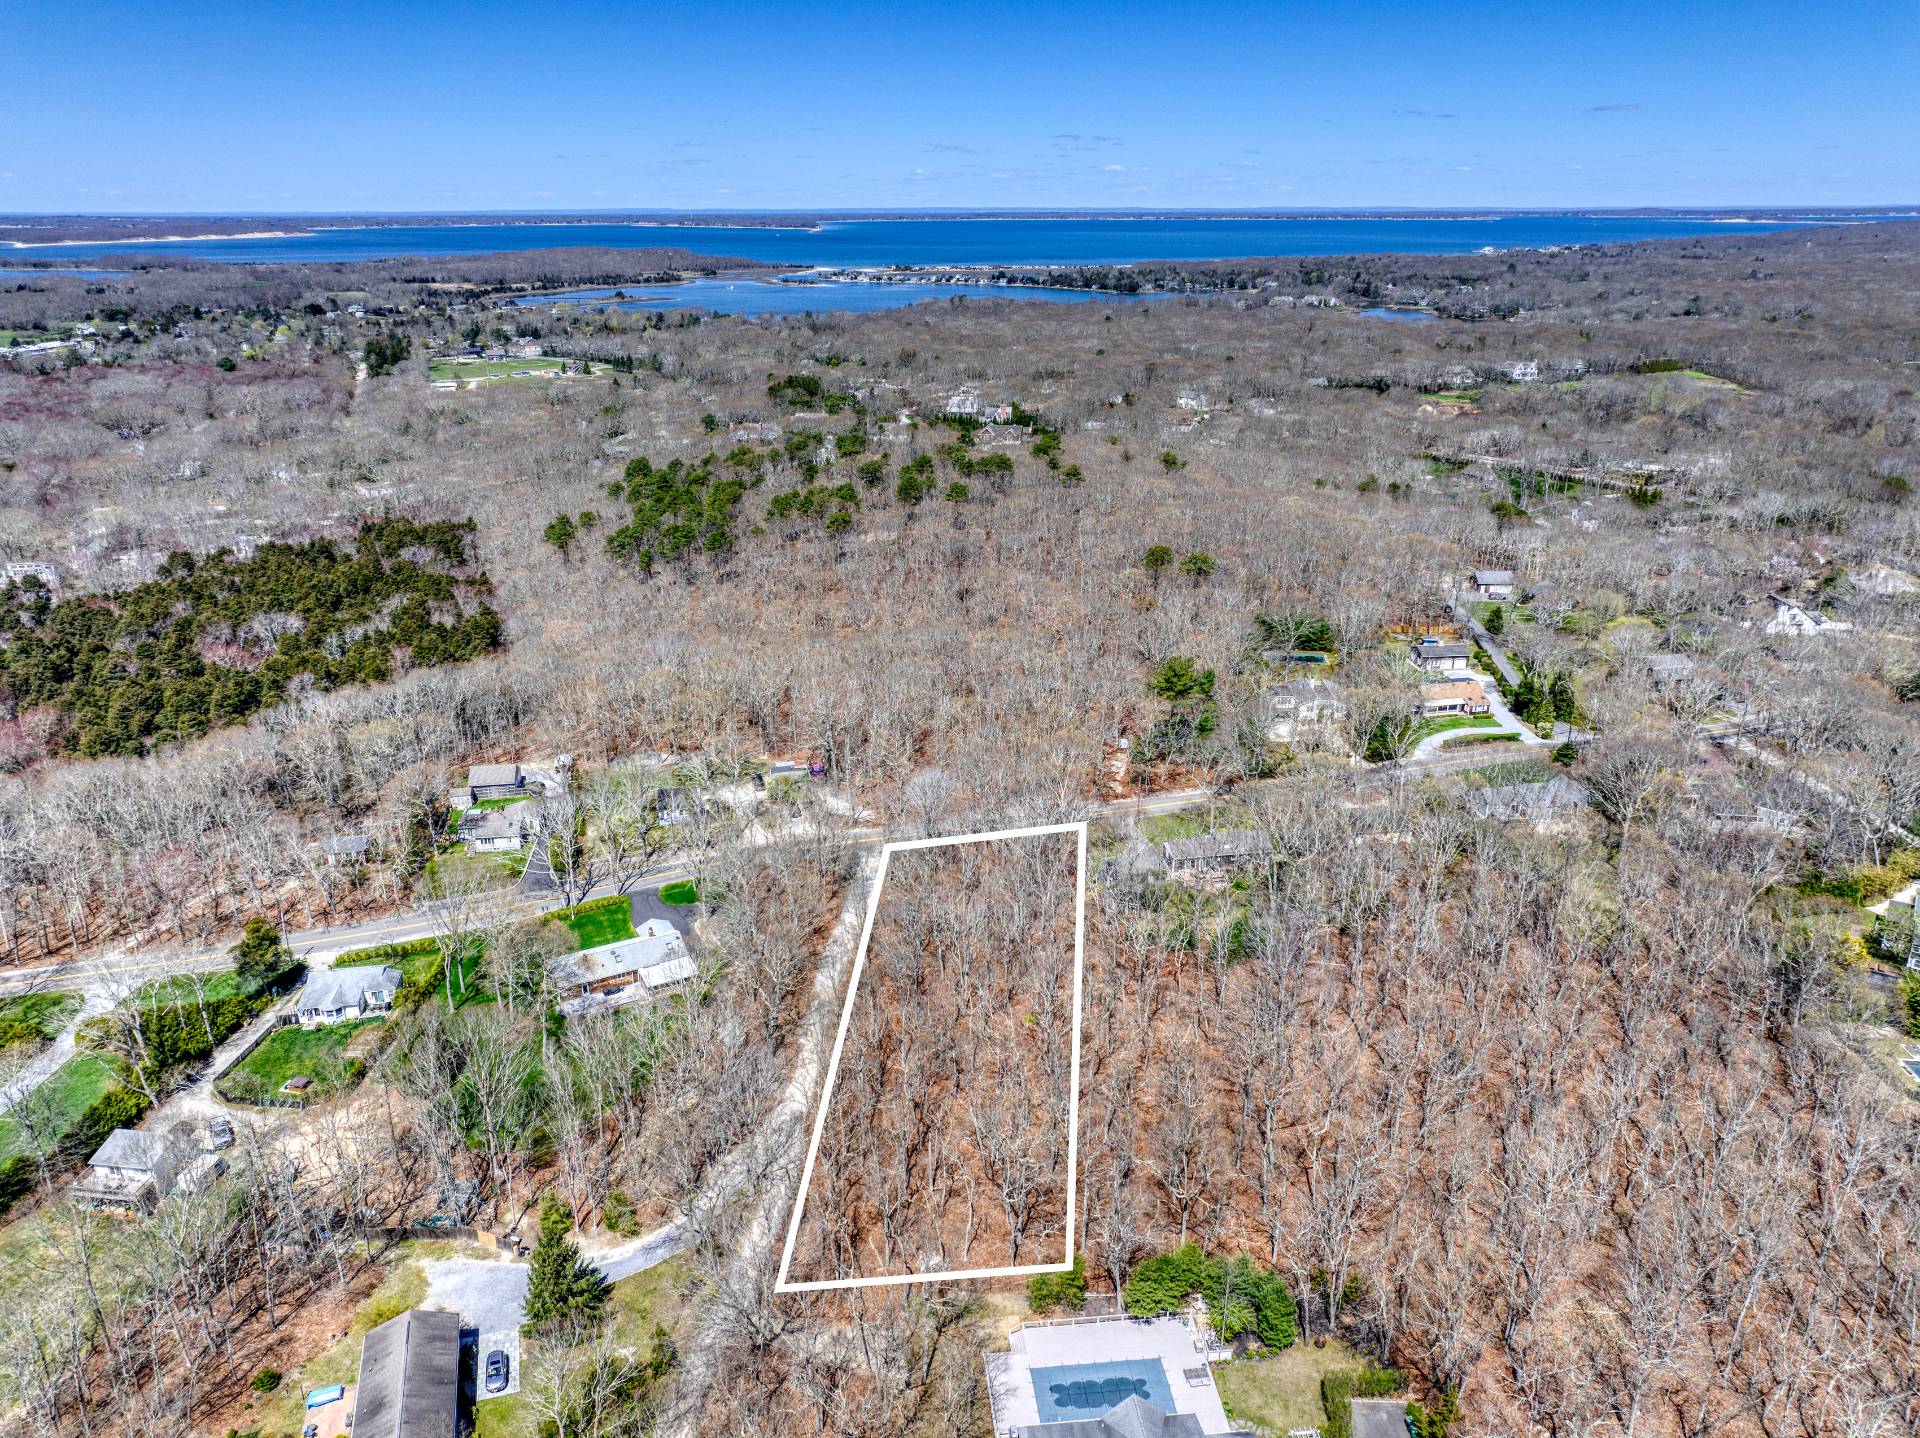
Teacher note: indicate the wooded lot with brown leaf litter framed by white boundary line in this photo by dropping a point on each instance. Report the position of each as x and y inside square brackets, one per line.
[840, 1042]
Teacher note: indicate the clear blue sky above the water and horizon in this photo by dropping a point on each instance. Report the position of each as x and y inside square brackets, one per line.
[581, 105]
